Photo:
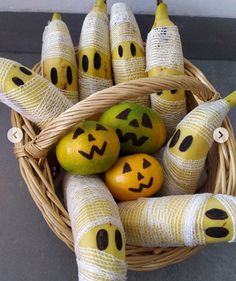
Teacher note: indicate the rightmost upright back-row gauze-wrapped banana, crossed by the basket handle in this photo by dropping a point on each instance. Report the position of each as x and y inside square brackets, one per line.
[164, 56]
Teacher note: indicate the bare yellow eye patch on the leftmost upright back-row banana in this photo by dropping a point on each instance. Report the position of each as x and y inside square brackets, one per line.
[64, 76]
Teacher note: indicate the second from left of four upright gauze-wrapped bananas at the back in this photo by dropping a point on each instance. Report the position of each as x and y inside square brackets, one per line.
[94, 56]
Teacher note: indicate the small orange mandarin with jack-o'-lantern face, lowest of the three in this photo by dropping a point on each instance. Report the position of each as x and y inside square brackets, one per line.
[134, 176]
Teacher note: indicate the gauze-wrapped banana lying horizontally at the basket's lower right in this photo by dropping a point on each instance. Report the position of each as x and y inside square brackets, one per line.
[181, 220]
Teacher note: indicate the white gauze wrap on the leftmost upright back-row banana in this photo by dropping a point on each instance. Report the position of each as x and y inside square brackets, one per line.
[57, 43]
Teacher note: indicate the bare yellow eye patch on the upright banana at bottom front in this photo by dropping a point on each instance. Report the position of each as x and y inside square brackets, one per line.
[107, 238]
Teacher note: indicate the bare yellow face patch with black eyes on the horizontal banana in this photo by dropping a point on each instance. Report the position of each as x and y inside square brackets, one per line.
[218, 224]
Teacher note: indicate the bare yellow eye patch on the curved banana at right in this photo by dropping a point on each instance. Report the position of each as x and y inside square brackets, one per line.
[188, 145]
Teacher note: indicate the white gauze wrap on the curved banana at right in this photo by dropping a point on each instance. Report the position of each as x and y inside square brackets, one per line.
[181, 175]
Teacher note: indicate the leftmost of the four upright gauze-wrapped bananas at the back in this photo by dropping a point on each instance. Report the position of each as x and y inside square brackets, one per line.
[58, 58]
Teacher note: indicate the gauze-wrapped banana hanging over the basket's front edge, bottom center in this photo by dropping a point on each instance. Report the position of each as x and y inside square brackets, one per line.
[98, 233]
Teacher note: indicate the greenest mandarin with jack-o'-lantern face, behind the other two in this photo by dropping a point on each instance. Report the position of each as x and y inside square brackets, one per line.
[138, 127]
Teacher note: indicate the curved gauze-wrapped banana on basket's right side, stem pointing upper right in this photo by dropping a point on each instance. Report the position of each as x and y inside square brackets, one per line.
[185, 154]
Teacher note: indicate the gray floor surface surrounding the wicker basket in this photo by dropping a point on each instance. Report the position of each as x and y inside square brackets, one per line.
[29, 251]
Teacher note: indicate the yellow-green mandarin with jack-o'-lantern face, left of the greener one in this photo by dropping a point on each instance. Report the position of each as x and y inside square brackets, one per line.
[90, 148]
